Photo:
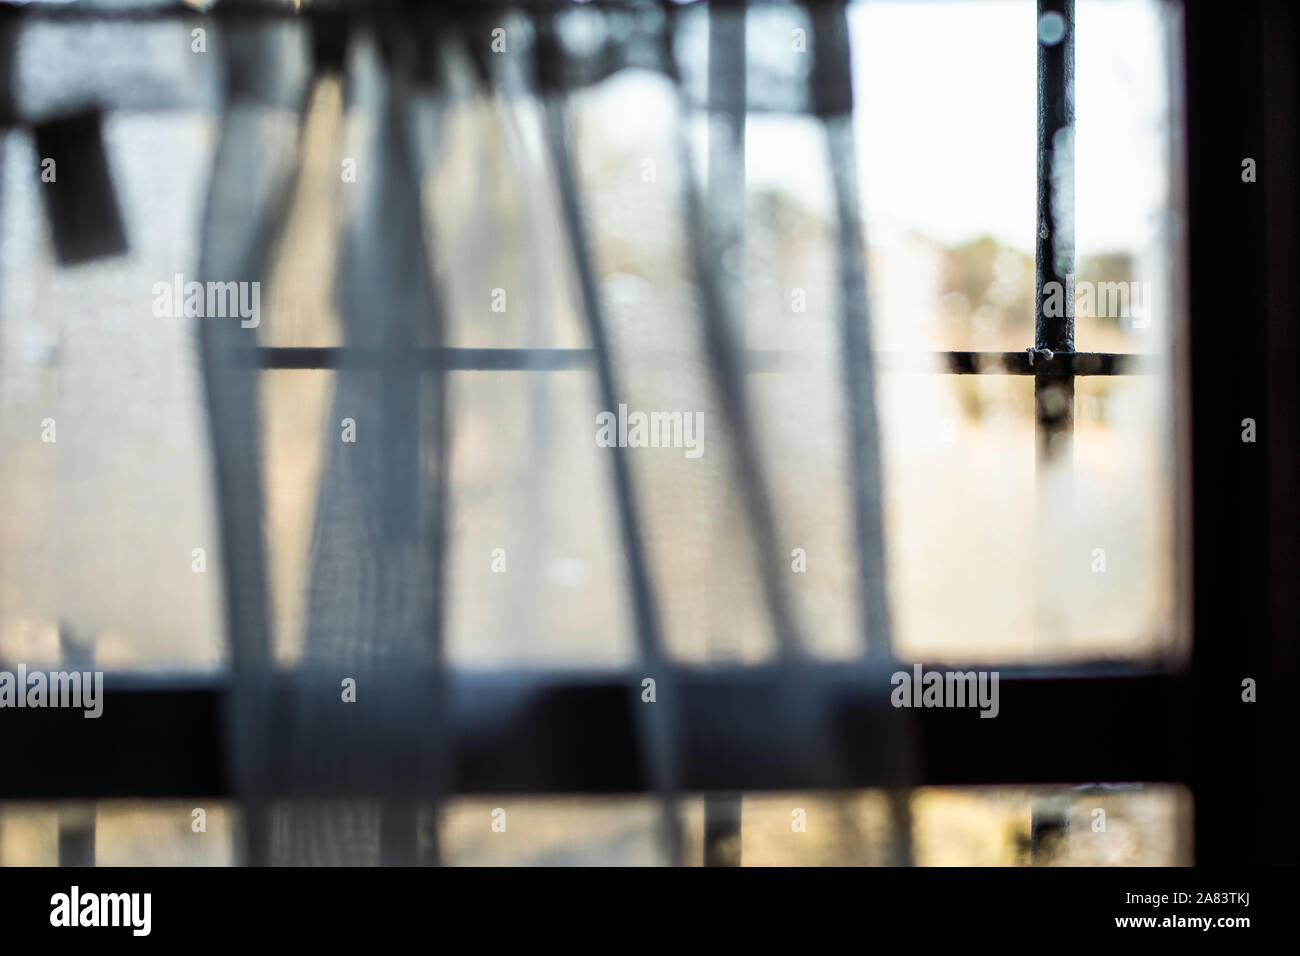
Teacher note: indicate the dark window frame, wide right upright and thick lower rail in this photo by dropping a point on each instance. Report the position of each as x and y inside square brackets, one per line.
[163, 737]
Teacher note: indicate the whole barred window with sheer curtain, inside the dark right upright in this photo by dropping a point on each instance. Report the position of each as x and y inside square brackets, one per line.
[350, 556]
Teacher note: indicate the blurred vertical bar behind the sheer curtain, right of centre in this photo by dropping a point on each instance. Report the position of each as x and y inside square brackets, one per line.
[726, 197]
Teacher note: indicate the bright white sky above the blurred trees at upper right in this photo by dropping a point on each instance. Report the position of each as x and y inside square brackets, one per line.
[946, 123]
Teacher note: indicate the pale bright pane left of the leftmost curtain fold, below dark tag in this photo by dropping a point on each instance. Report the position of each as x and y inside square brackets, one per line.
[114, 553]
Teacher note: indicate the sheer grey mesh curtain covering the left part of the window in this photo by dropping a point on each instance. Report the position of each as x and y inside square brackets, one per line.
[466, 137]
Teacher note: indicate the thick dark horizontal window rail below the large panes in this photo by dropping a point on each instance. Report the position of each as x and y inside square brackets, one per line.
[574, 734]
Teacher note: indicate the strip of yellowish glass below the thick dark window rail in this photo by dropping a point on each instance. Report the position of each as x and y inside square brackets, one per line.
[1100, 825]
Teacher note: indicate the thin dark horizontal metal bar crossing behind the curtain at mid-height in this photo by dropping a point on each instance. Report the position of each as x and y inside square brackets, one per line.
[757, 361]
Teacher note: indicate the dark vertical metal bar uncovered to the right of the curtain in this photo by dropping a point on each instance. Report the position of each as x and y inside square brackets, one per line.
[1054, 322]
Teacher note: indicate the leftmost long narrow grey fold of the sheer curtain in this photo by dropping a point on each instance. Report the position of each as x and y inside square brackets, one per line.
[254, 166]
